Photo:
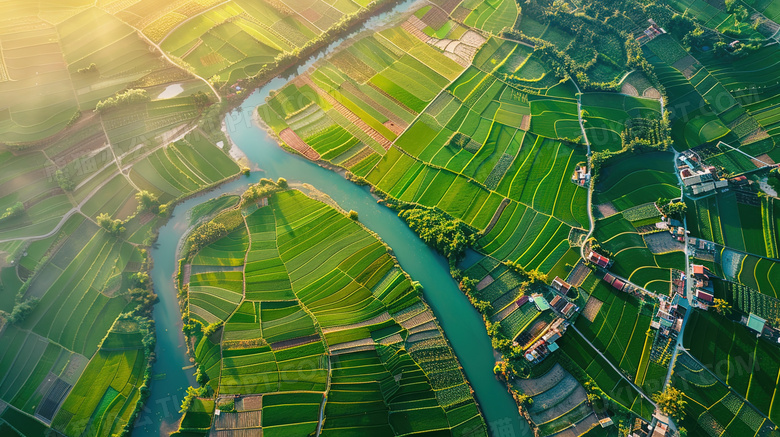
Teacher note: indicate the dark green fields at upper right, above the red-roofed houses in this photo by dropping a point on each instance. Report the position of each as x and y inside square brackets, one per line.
[711, 102]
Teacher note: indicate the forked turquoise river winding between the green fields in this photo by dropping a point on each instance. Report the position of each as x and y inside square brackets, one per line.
[462, 324]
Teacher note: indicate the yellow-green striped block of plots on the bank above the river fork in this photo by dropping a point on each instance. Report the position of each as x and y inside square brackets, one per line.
[355, 103]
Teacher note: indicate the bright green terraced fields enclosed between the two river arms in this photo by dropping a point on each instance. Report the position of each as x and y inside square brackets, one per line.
[314, 308]
